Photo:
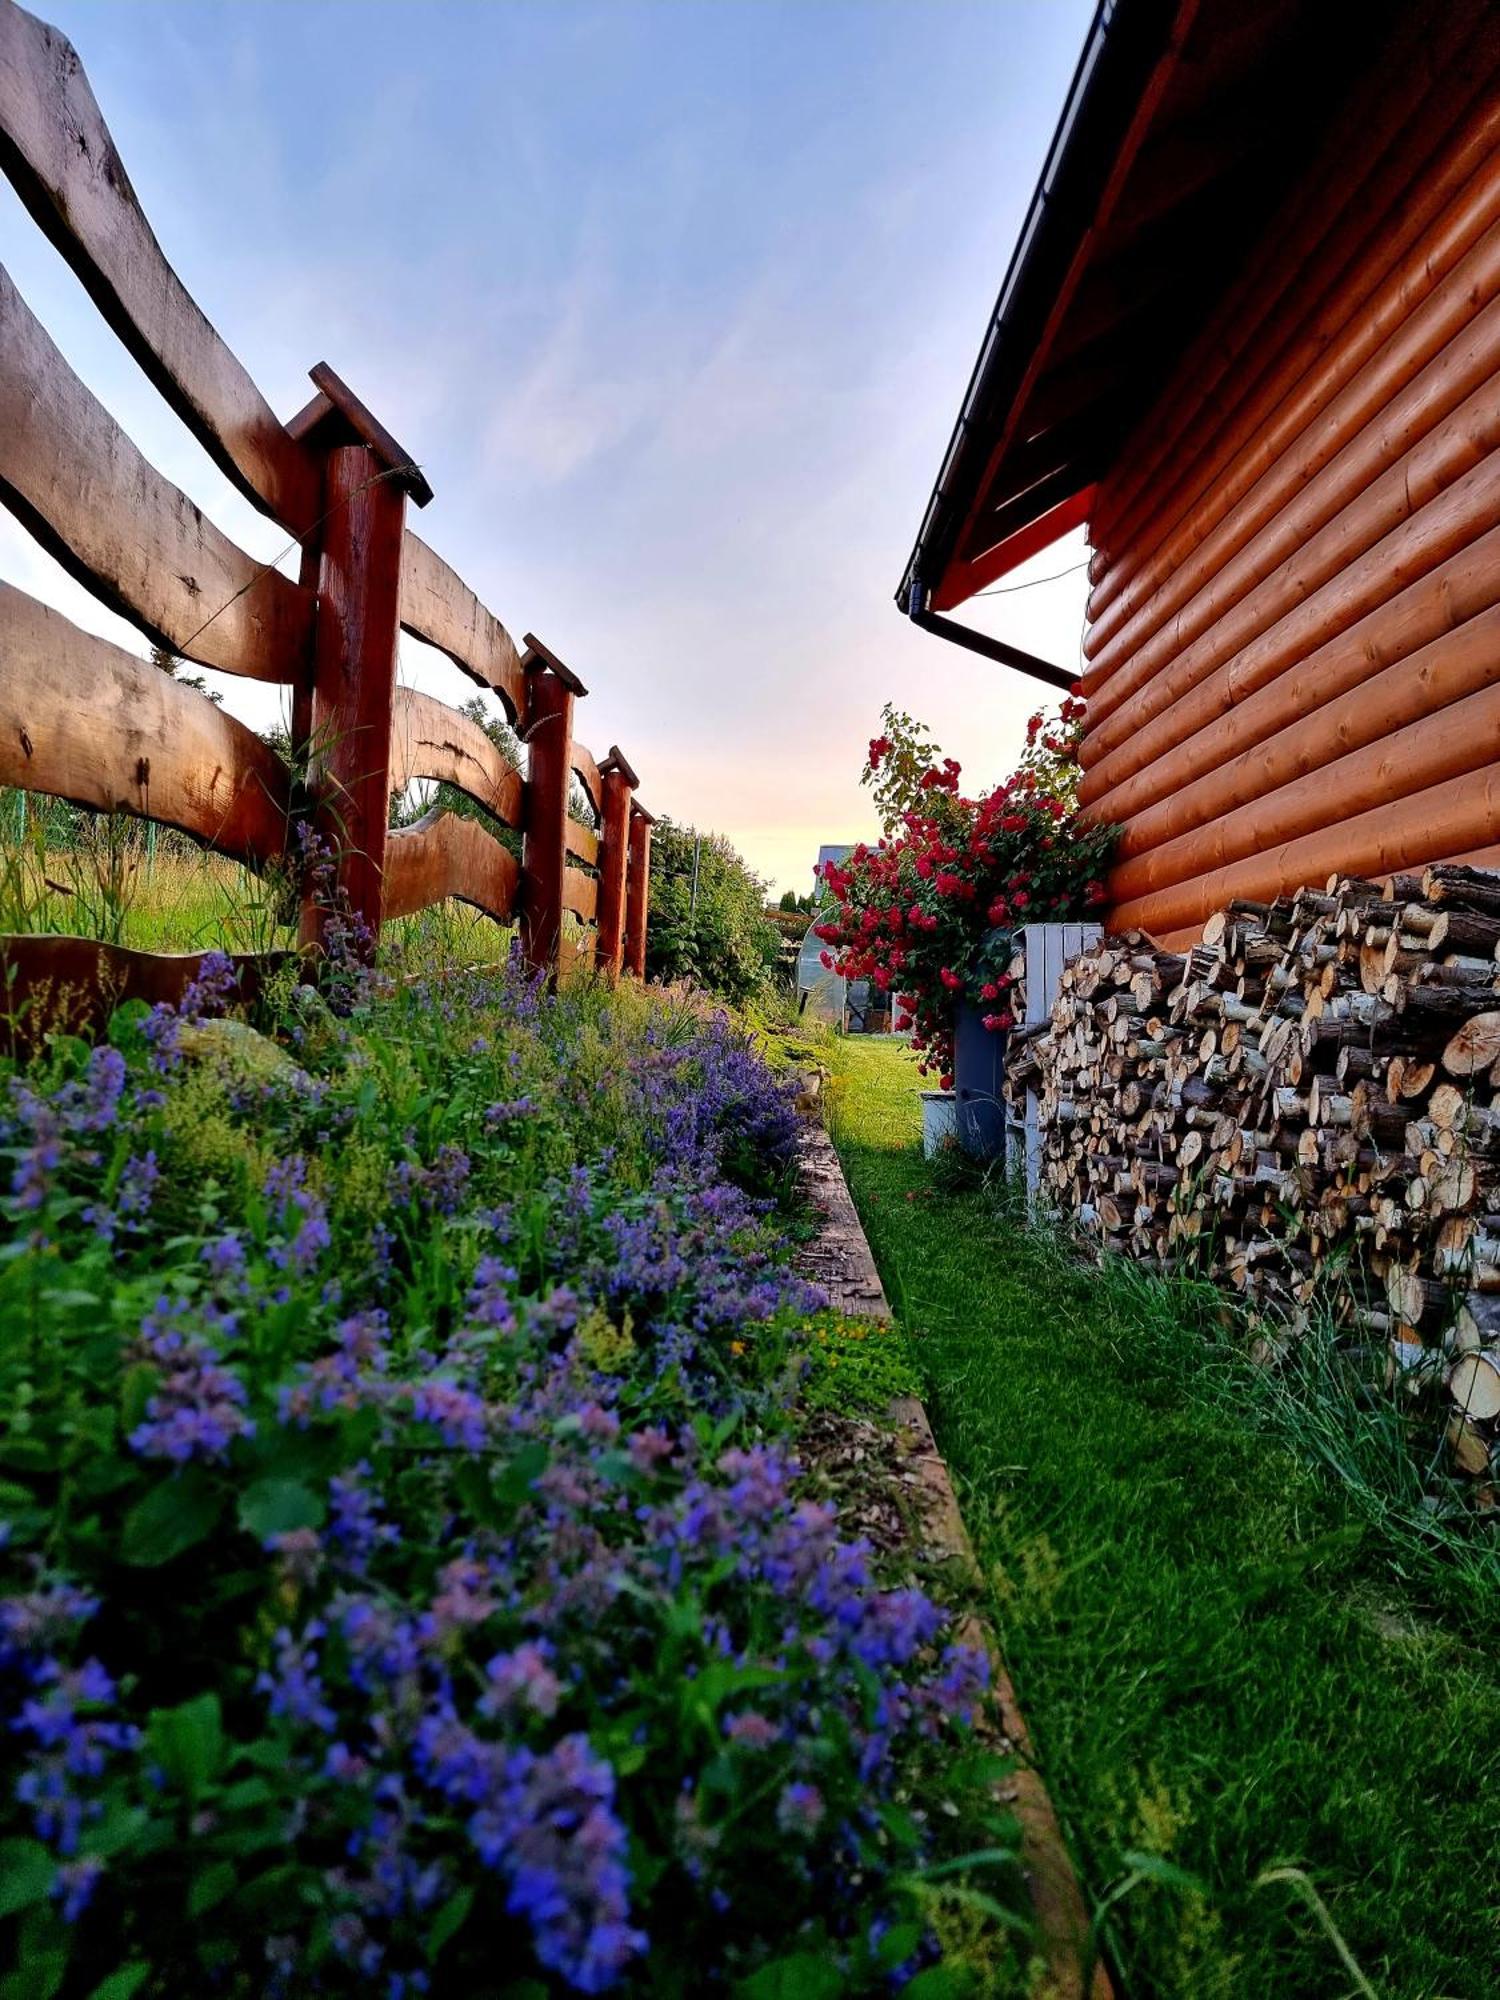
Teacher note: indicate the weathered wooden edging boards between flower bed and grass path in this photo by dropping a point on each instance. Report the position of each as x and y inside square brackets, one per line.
[841, 1261]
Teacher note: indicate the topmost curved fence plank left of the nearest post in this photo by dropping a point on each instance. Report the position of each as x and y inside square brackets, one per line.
[61, 159]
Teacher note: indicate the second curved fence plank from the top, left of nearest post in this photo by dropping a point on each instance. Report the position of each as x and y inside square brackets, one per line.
[83, 489]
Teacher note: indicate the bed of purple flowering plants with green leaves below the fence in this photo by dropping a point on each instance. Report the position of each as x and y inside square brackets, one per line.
[407, 1573]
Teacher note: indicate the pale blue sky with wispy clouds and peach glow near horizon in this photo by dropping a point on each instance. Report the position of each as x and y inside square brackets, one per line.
[675, 303]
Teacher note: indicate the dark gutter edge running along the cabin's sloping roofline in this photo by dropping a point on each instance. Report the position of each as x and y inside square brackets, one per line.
[1123, 45]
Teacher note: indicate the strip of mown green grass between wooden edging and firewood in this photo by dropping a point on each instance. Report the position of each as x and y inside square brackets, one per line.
[1239, 1657]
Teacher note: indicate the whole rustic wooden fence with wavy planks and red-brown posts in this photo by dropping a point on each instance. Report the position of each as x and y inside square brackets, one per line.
[89, 723]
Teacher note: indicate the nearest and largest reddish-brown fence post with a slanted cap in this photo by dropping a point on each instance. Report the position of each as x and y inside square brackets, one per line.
[345, 715]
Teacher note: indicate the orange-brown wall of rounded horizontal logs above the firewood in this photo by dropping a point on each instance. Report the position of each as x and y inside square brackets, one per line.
[1293, 655]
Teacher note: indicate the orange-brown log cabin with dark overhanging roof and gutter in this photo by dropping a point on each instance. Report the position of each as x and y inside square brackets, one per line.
[1251, 343]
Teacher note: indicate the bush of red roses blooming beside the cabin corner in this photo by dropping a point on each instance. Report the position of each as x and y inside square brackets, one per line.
[929, 913]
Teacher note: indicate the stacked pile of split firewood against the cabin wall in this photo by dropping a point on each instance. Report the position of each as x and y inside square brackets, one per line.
[1305, 1105]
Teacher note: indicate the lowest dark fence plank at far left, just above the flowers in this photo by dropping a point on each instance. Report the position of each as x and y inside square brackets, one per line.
[73, 985]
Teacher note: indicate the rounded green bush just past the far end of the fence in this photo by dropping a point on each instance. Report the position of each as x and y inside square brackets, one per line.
[707, 915]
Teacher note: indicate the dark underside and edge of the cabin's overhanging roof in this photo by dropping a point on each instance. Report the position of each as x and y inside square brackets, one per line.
[1183, 131]
